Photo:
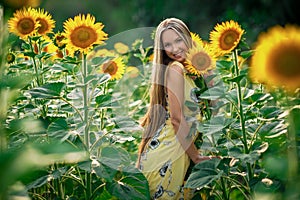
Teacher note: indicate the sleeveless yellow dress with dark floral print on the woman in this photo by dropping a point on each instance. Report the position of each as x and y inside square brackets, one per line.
[164, 162]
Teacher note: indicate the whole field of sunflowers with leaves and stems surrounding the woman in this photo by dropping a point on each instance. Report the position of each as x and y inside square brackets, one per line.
[71, 103]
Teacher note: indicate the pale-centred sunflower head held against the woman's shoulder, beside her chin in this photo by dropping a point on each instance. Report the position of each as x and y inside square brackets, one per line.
[200, 59]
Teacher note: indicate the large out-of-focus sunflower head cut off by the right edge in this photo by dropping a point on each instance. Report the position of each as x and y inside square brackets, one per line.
[276, 60]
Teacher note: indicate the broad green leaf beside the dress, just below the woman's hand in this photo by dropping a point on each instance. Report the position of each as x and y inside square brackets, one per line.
[203, 174]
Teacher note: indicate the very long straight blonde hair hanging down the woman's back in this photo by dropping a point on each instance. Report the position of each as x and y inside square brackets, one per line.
[156, 114]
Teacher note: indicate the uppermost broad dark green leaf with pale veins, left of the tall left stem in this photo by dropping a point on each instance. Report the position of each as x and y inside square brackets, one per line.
[47, 91]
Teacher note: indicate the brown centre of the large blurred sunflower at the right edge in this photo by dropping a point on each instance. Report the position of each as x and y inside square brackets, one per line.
[286, 62]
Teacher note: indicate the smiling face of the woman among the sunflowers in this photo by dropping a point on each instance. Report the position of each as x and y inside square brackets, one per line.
[174, 45]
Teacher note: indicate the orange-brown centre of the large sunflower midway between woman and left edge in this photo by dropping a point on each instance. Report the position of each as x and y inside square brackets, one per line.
[83, 36]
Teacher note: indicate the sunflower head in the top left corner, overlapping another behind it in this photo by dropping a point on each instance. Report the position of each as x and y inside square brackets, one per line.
[23, 23]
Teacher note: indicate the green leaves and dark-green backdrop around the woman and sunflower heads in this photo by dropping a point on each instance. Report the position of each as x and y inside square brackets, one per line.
[42, 123]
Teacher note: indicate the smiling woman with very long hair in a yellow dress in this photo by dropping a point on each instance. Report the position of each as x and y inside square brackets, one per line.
[167, 148]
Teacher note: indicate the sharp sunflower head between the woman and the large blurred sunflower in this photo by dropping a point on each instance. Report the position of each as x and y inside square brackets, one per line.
[226, 36]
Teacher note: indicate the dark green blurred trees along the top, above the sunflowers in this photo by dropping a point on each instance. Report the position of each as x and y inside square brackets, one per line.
[201, 16]
